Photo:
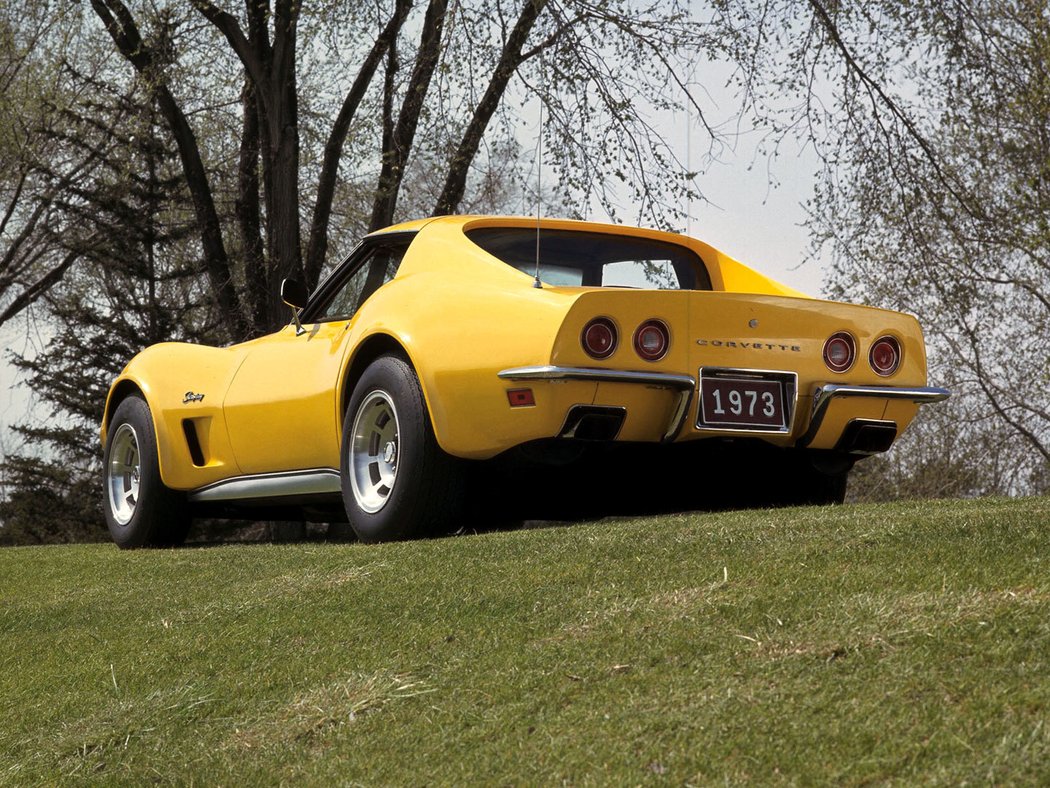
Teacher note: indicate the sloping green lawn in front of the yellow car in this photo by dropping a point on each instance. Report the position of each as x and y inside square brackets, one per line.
[902, 644]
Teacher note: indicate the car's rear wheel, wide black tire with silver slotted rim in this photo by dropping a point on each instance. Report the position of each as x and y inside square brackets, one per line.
[397, 484]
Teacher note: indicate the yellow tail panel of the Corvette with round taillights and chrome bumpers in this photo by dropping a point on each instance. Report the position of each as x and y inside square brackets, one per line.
[662, 366]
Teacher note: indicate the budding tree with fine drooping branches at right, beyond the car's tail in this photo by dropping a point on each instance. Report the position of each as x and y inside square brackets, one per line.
[933, 121]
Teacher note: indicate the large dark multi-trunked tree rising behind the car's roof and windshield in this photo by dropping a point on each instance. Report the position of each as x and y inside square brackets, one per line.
[586, 45]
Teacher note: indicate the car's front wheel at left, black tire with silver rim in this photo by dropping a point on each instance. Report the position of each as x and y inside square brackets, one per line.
[141, 512]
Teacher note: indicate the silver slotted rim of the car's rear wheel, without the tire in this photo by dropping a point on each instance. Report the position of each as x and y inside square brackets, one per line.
[374, 450]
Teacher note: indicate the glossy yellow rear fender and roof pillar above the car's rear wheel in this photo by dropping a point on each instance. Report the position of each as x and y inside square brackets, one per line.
[464, 317]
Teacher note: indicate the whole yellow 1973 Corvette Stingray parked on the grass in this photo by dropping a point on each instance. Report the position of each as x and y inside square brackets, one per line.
[442, 345]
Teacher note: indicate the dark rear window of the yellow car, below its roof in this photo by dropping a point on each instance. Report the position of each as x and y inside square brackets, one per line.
[580, 259]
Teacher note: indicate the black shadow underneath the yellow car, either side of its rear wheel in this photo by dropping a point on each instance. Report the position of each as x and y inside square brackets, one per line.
[557, 485]
